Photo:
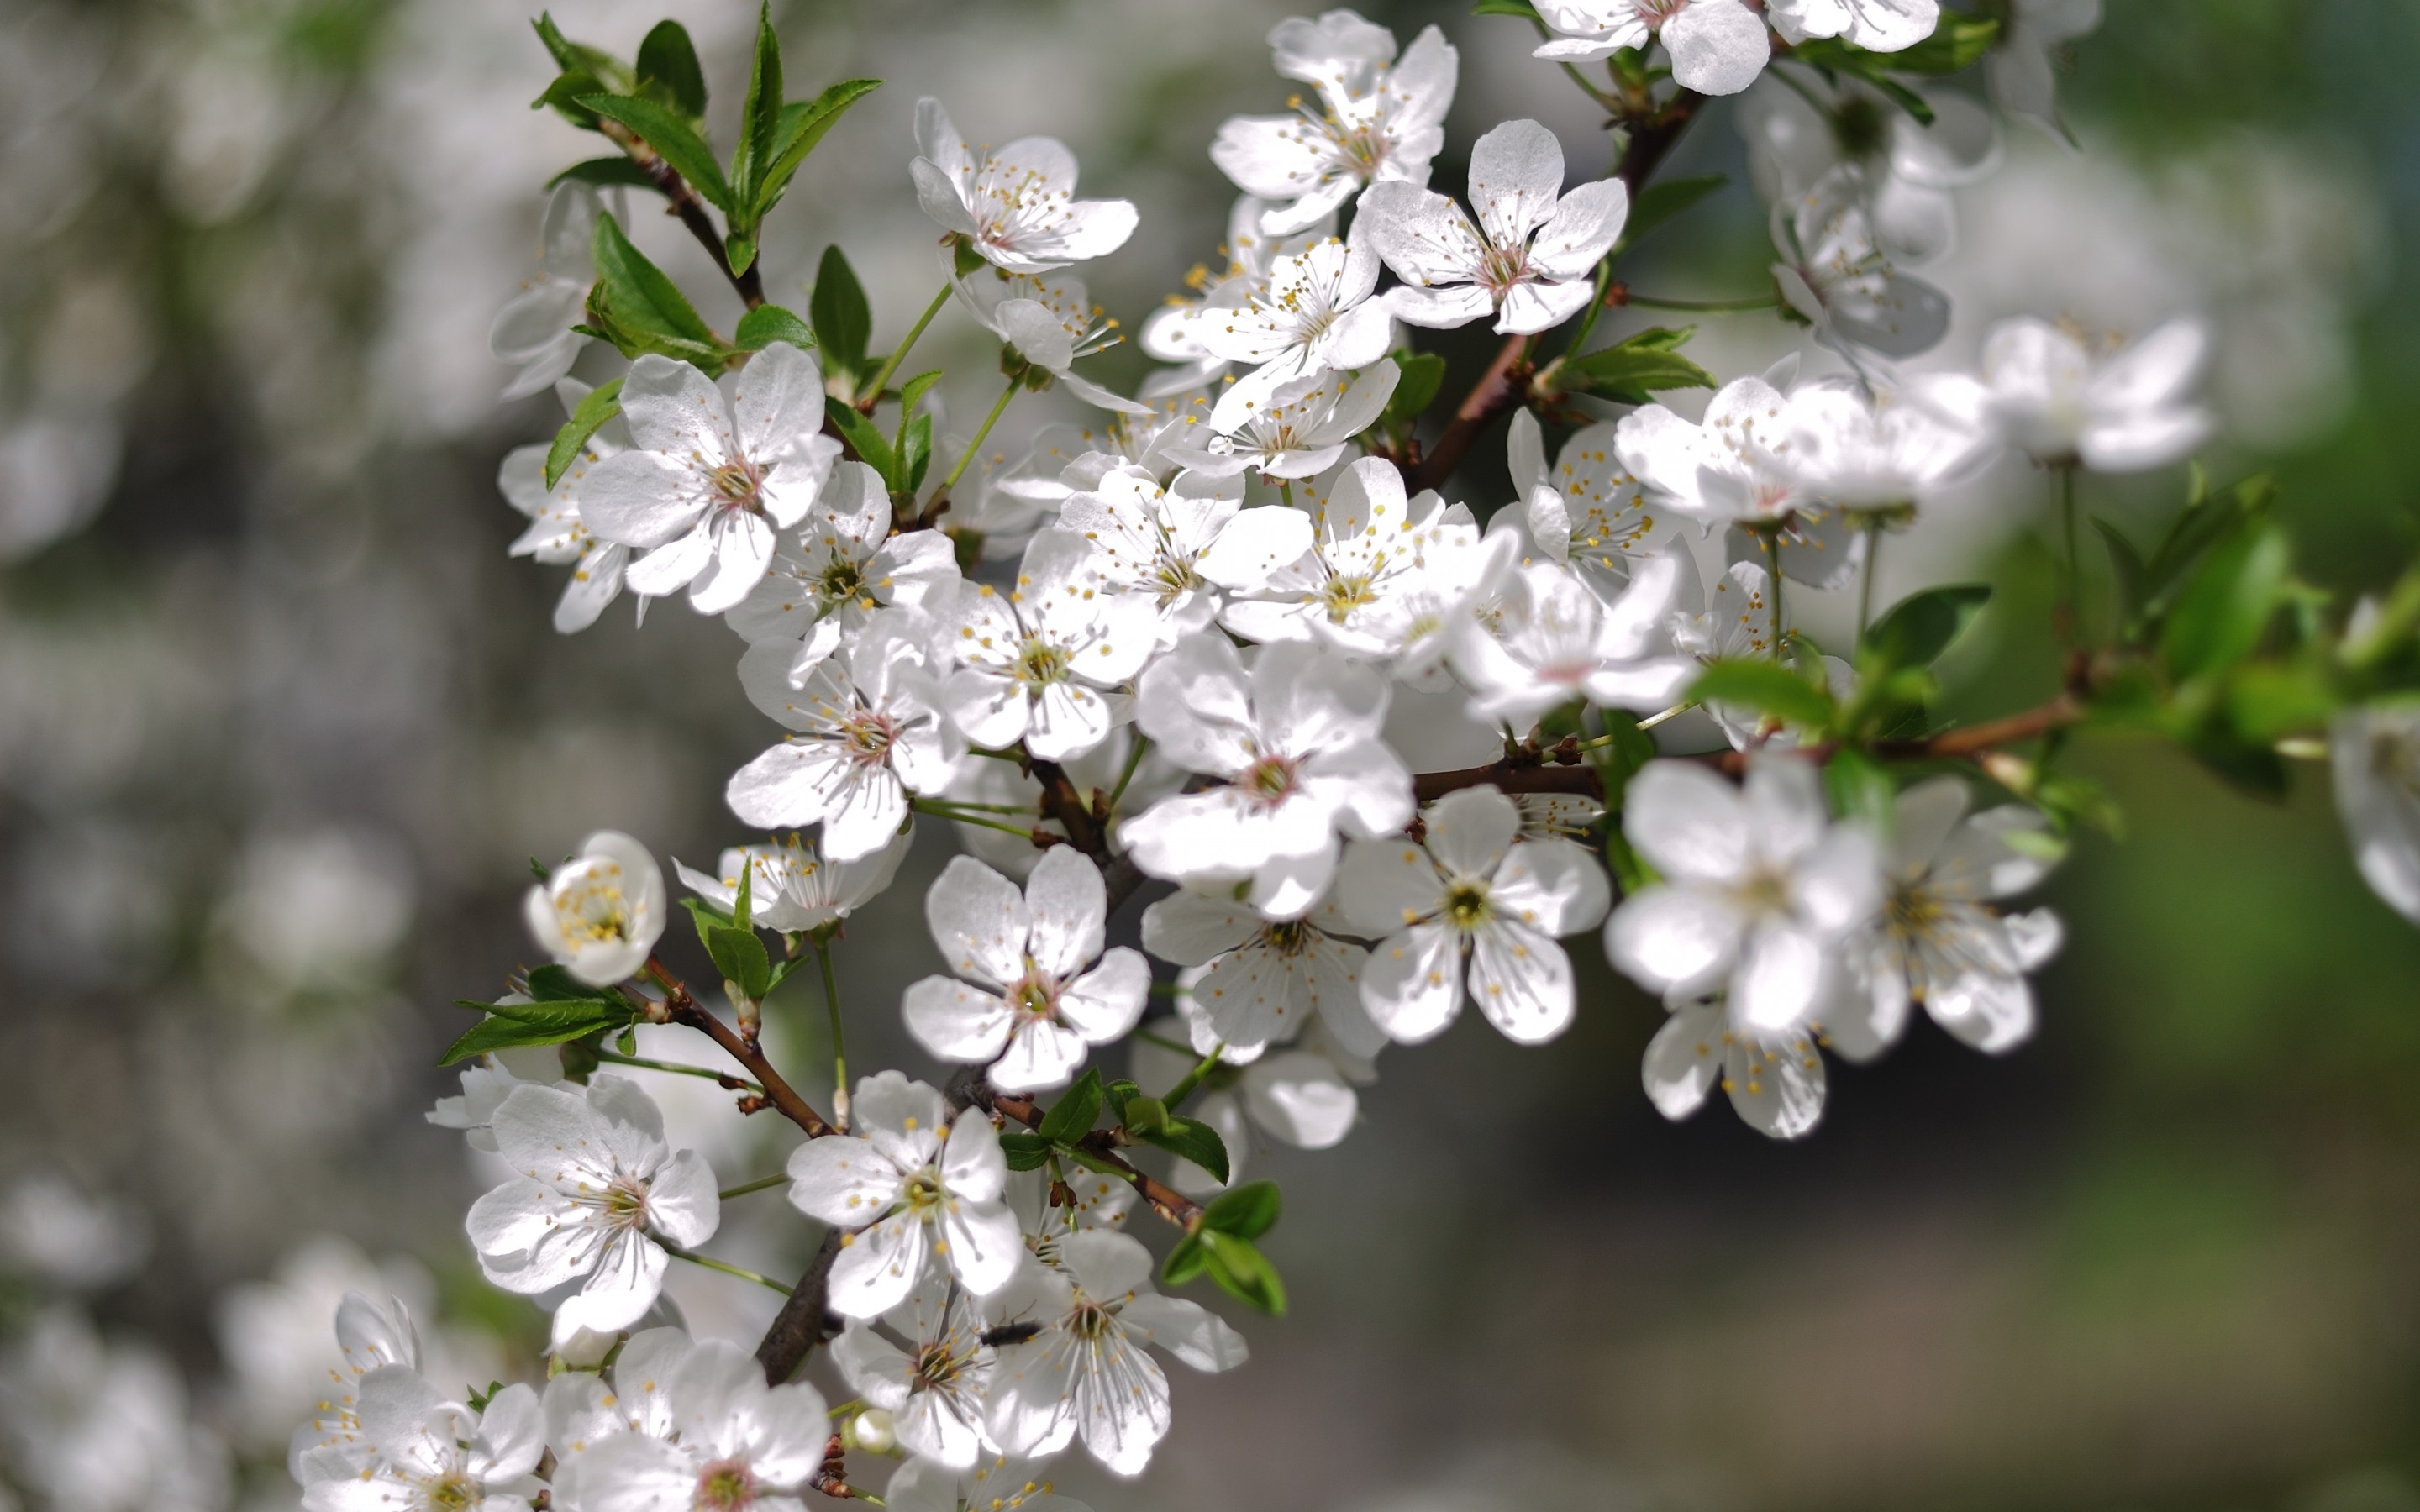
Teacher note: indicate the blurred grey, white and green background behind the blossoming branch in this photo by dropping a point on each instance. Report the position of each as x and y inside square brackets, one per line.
[282, 727]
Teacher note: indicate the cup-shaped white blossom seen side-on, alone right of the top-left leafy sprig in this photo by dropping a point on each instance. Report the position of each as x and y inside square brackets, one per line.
[1015, 207]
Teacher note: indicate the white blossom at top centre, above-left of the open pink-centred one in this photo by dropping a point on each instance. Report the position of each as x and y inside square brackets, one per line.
[1378, 120]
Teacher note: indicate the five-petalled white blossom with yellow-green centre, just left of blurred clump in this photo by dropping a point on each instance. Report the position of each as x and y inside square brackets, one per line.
[1473, 894]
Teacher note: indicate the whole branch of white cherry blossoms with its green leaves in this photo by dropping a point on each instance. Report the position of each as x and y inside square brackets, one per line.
[1385, 751]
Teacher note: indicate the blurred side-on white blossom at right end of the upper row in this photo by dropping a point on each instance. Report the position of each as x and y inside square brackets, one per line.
[2063, 403]
